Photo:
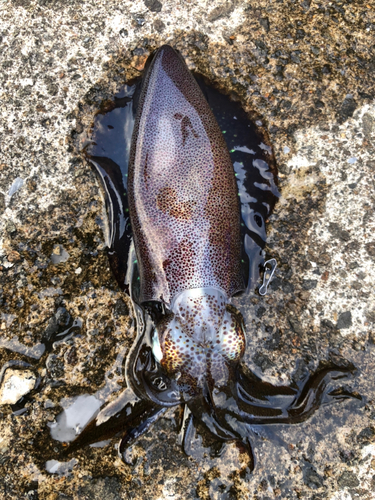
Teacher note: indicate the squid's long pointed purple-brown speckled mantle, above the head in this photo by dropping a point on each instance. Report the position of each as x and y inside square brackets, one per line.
[183, 199]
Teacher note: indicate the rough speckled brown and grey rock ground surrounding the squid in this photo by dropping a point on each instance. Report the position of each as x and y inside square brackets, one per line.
[306, 69]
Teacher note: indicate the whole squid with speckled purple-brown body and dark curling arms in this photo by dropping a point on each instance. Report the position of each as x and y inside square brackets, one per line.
[185, 218]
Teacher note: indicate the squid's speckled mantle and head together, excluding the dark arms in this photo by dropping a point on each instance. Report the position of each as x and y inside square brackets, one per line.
[185, 217]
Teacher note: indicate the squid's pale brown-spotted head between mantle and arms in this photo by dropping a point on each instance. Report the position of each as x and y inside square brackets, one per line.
[201, 338]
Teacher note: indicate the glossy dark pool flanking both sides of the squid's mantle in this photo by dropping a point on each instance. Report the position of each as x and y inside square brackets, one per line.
[253, 163]
